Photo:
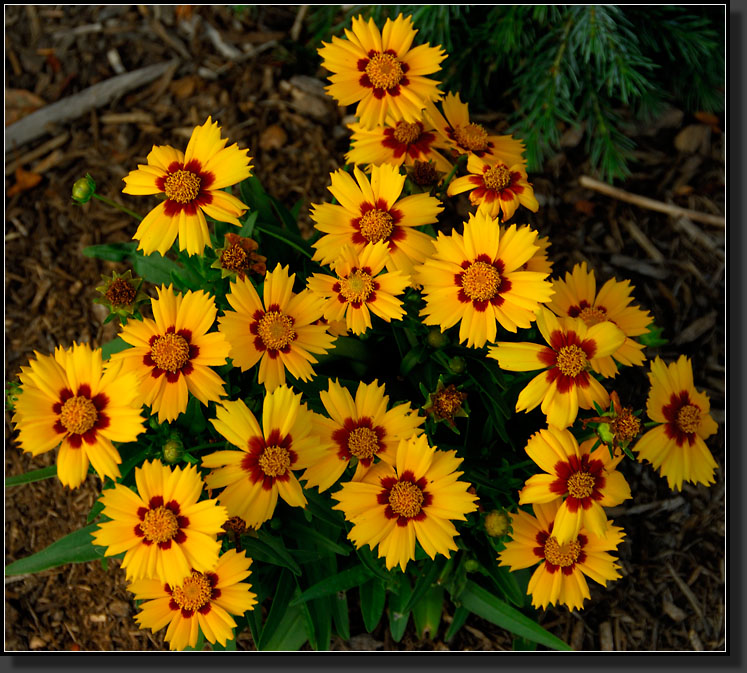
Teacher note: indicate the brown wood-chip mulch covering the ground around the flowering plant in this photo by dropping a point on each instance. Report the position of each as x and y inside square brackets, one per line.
[248, 70]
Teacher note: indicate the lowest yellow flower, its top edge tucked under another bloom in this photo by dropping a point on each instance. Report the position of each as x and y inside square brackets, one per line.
[203, 602]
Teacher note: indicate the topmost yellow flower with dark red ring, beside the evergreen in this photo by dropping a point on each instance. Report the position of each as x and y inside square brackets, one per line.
[380, 71]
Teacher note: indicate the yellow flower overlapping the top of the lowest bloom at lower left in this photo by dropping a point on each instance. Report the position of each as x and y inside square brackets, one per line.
[164, 529]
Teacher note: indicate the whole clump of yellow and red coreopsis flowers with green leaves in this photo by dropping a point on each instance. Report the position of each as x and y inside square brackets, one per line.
[290, 428]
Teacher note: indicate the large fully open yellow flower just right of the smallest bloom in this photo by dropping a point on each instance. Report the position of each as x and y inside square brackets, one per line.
[476, 279]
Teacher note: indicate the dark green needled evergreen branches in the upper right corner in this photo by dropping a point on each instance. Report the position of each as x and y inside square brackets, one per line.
[581, 65]
